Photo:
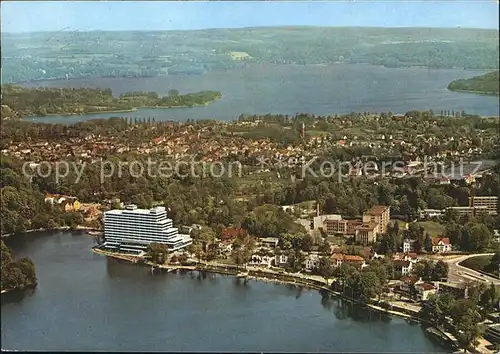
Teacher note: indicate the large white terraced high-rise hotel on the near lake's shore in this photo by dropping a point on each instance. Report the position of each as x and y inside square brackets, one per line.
[133, 229]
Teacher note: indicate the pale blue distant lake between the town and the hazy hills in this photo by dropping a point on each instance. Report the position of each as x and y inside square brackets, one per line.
[288, 89]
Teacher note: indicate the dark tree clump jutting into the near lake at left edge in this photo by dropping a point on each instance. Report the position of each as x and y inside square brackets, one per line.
[16, 274]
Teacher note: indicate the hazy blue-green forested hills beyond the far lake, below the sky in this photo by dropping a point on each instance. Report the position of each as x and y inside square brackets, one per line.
[66, 54]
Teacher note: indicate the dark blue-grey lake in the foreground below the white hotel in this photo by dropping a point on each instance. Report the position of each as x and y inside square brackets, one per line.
[87, 302]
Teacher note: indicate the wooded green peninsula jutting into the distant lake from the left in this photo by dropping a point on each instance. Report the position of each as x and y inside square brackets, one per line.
[18, 101]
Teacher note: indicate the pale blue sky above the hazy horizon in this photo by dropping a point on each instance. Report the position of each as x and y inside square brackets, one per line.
[27, 16]
